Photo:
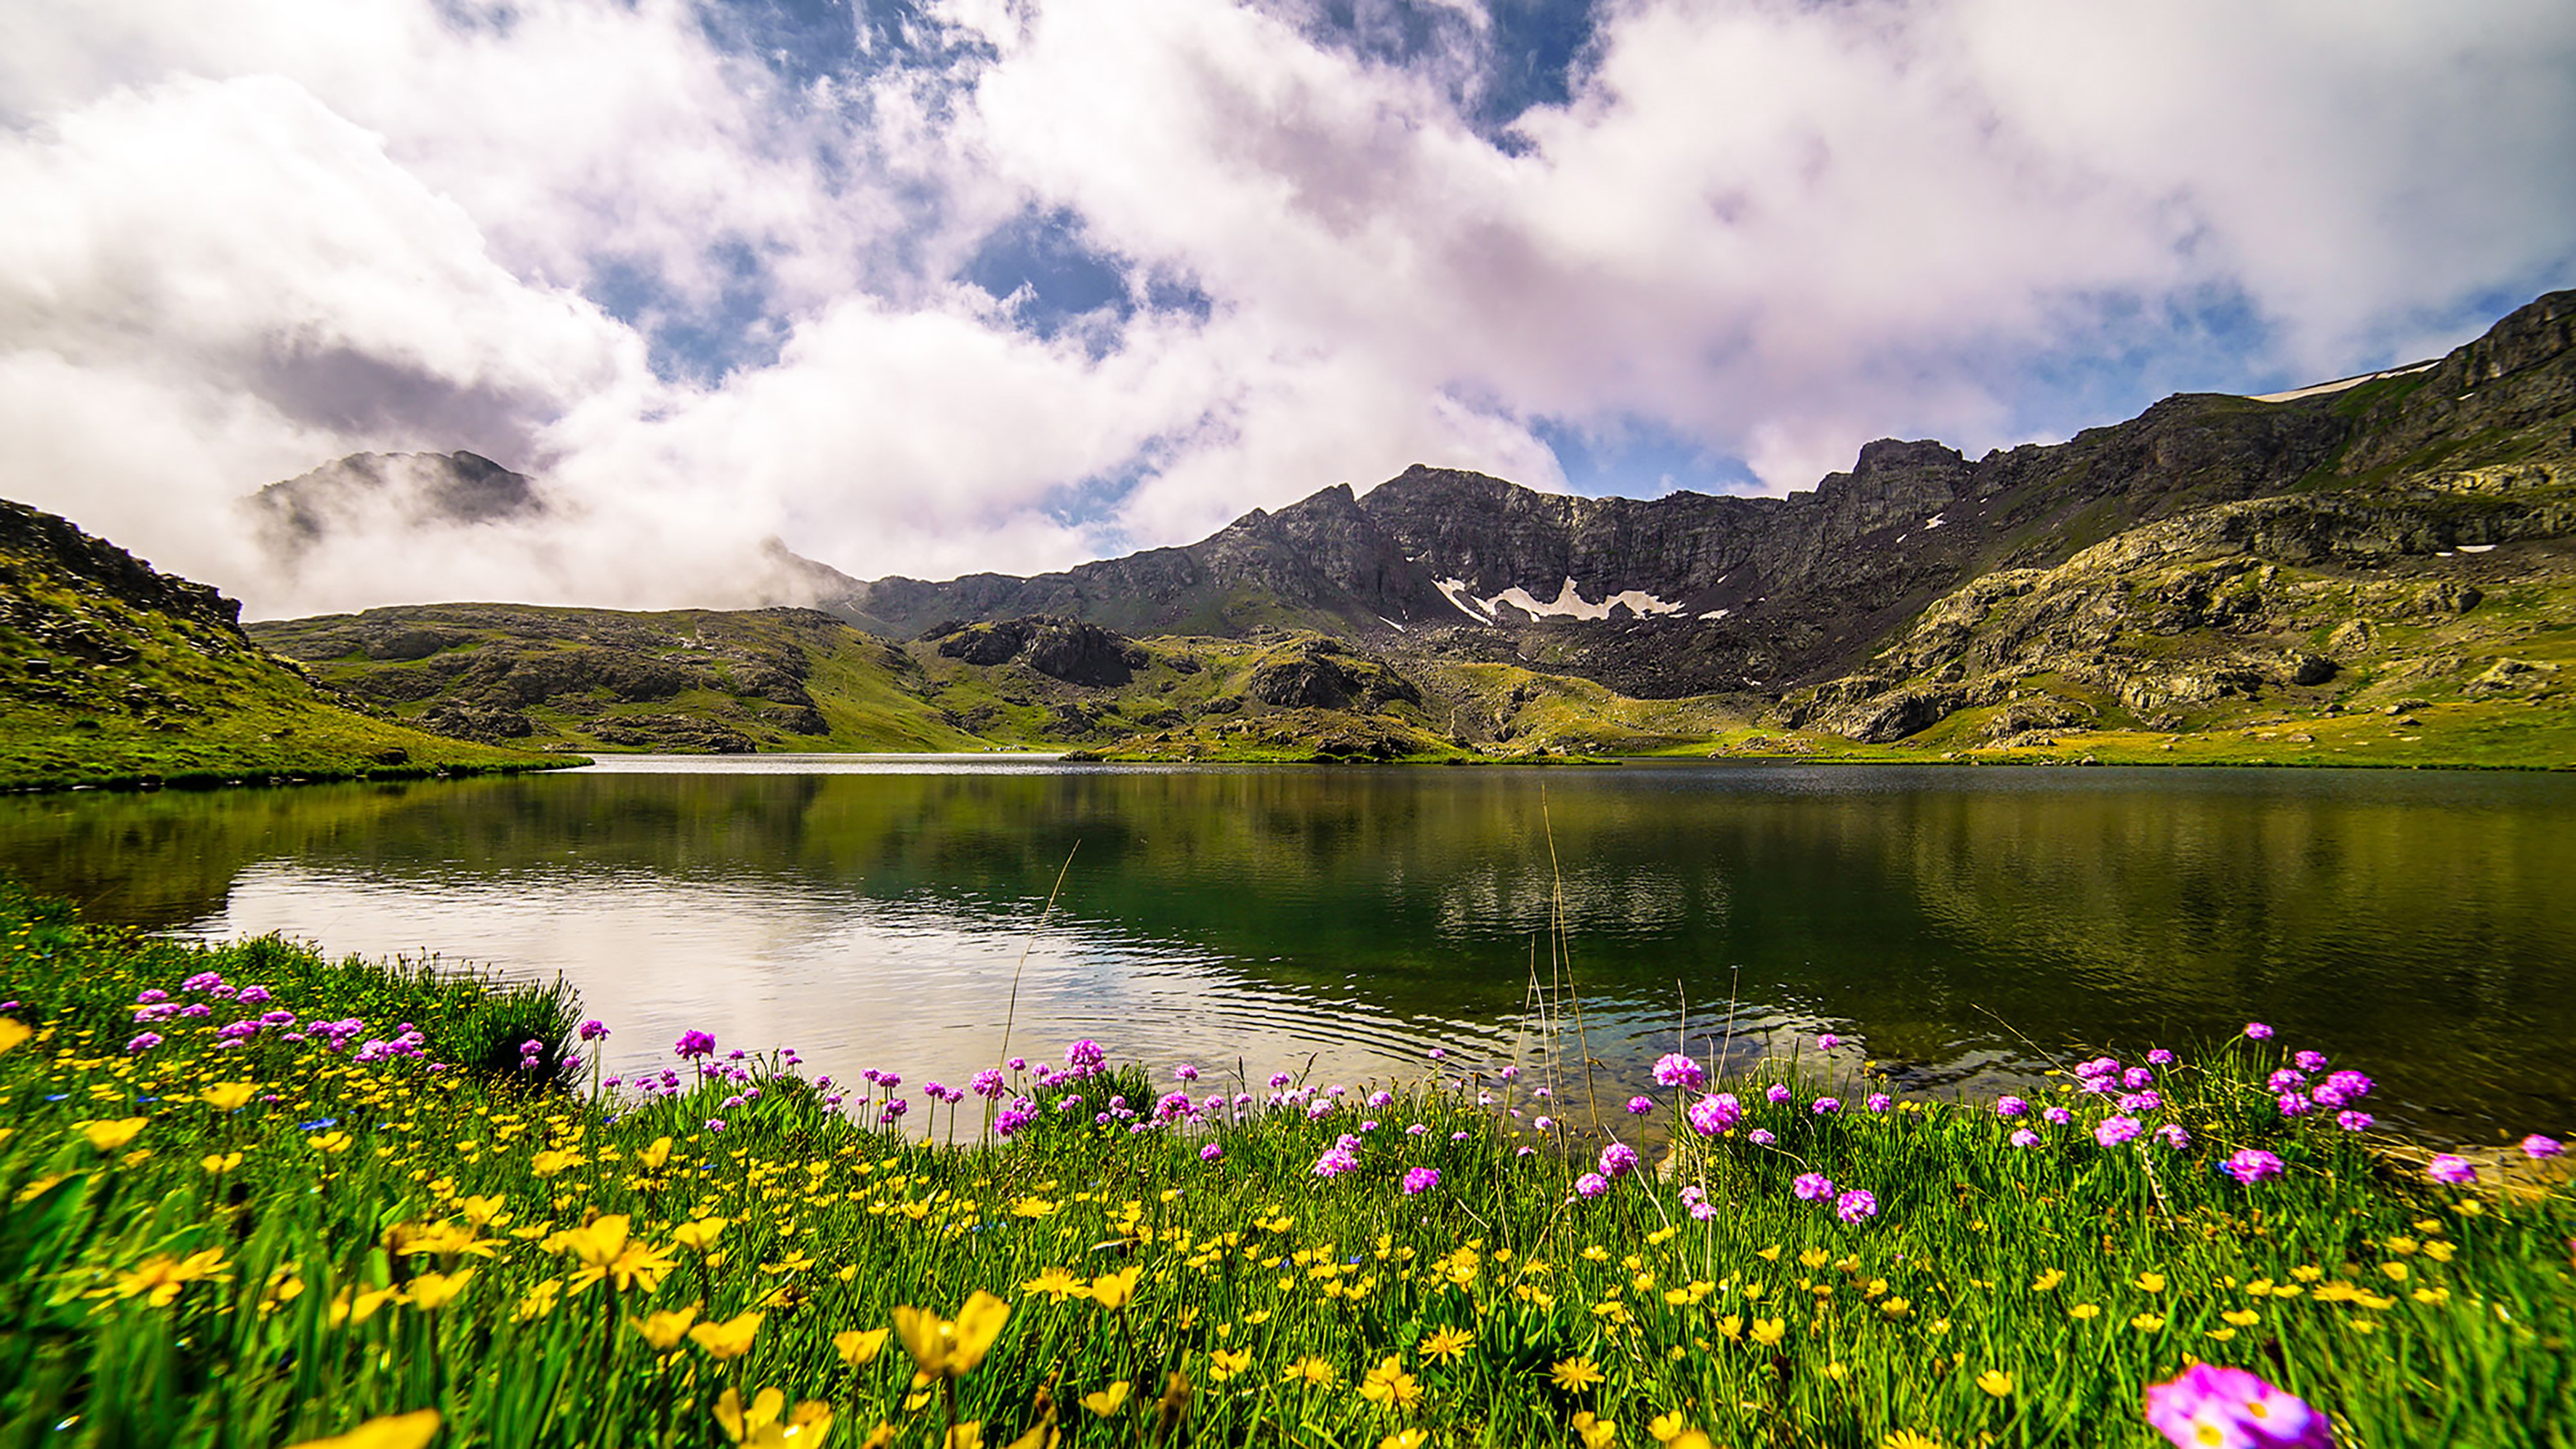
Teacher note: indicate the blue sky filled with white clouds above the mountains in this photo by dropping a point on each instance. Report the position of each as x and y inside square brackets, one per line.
[934, 287]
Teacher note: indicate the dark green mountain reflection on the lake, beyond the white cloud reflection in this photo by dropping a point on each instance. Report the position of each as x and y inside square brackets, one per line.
[2410, 923]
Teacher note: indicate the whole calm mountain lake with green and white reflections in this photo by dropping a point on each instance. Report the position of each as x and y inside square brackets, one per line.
[1964, 925]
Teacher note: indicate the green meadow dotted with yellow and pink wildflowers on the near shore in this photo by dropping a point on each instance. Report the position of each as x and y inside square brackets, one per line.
[272, 1234]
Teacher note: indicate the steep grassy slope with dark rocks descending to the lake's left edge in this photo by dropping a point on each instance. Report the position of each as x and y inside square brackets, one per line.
[115, 673]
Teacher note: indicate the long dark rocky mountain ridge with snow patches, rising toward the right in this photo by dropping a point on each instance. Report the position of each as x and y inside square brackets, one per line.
[1869, 606]
